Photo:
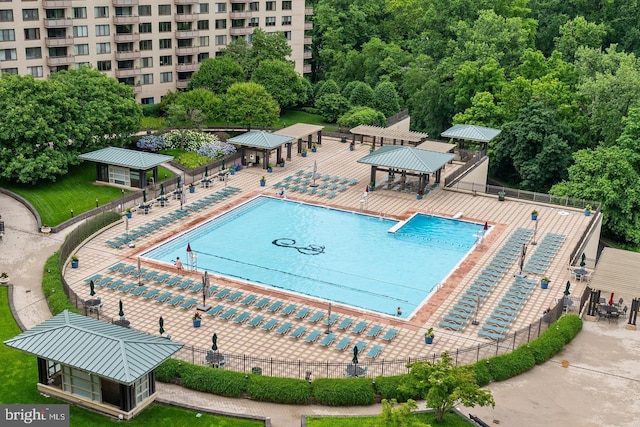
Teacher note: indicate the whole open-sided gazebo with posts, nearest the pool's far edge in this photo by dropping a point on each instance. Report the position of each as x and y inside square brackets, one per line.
[407, 161]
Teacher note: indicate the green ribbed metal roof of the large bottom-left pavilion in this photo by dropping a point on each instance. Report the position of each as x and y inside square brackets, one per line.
[108, 350]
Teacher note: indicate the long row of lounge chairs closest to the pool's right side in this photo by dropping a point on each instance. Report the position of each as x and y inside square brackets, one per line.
[482, 286]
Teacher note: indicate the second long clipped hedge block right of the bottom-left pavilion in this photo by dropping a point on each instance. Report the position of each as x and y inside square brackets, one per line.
[279, 390]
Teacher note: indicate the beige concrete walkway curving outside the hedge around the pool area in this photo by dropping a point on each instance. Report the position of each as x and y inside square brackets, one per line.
[596, 388]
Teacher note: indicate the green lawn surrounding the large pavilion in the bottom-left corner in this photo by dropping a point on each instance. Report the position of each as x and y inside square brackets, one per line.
[19, 375]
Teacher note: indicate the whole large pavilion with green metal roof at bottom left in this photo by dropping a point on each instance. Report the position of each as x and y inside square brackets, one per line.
[95, 364]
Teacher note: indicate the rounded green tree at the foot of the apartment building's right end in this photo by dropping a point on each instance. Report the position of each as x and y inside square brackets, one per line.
[282, 82]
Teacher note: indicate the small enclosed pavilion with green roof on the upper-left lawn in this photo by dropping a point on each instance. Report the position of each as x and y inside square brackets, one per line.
[125, 167]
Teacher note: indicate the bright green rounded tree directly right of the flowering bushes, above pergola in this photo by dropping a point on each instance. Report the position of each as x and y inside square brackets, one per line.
[249, 104]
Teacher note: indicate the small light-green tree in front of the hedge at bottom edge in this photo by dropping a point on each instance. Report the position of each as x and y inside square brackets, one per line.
[444, 385]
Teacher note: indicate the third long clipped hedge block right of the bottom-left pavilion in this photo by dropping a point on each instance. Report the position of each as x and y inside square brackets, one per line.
[343, 392]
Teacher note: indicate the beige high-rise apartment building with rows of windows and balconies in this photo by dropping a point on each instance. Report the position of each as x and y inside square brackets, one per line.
[154, 46]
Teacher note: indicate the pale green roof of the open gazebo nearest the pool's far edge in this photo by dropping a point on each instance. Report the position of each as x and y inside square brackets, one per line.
[407, 158]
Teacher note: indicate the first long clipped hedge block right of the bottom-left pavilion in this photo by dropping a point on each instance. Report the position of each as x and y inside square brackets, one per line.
[216, 381]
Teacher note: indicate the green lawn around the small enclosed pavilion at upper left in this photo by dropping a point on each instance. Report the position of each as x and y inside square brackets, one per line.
[76, 190]
